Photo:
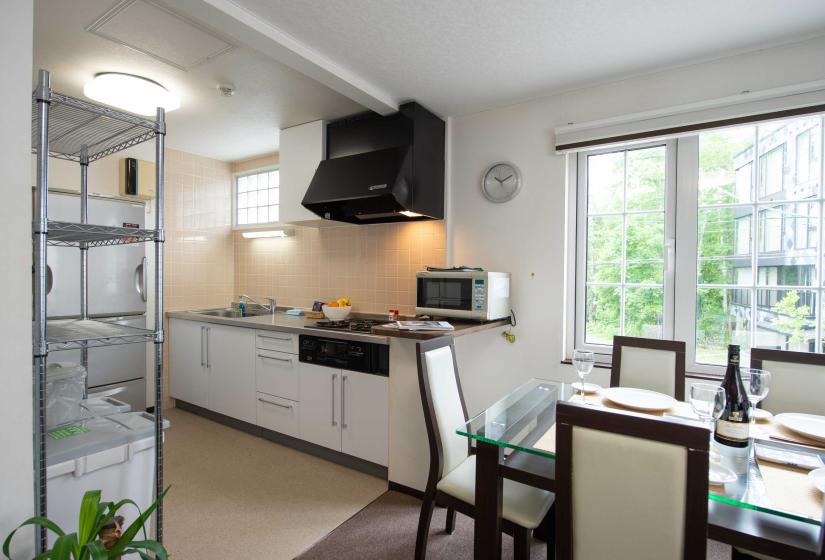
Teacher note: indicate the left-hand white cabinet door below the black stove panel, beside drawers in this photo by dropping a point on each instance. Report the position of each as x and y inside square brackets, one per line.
[320, 405]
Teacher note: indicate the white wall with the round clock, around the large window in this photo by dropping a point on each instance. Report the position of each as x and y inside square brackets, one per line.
[526, 236]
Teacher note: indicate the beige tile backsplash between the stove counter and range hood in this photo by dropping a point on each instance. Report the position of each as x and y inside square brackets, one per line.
[373, 265]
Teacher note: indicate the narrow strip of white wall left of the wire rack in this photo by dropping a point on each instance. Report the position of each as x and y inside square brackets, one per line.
[16, 486]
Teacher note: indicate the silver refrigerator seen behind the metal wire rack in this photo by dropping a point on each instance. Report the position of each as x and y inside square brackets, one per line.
[117, 292]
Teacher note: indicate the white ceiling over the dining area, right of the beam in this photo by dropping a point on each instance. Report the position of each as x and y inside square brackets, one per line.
[464, 56]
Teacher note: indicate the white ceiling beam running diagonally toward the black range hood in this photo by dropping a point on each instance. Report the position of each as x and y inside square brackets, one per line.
[247, 28]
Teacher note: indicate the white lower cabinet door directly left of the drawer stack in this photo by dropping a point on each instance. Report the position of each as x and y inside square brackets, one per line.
[230, 359]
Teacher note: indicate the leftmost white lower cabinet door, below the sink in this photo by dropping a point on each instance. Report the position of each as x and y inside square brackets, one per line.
[188, 376]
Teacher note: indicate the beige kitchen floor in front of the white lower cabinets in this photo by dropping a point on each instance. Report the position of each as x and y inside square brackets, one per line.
[235, 495]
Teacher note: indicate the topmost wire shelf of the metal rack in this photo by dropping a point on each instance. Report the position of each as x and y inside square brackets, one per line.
[74, 123]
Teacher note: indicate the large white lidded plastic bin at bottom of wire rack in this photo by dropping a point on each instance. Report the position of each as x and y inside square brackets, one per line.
[114, 454]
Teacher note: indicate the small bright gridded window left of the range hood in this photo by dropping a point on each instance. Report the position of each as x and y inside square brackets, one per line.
[257, 198]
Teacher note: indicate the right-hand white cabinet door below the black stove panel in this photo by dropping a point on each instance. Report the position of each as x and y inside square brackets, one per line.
[365, 416]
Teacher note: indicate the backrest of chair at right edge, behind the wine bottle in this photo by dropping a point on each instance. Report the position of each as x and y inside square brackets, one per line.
[797, 380]
